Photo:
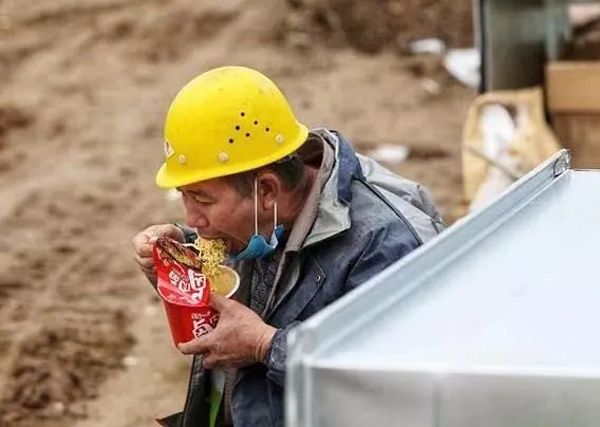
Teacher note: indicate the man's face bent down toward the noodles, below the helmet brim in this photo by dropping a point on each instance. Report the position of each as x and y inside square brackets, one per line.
[218, 211]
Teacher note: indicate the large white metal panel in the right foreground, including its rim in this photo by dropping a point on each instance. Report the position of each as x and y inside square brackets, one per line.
[494, 323]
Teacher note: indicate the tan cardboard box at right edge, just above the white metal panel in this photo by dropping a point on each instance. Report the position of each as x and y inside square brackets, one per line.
[573, 100]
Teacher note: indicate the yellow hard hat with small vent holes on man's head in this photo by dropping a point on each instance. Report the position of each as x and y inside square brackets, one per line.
[225, 121]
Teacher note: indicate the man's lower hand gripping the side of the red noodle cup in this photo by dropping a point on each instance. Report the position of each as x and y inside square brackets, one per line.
[241, 337]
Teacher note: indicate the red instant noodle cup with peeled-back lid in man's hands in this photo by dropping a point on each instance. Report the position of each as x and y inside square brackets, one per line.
[185, 291]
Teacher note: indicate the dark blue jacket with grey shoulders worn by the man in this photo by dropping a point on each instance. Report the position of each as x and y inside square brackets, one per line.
[367, 219]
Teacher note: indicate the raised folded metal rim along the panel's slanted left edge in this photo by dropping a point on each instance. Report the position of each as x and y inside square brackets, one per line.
[382, 292]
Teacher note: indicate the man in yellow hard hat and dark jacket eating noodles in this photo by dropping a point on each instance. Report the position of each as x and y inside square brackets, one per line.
[304, 220]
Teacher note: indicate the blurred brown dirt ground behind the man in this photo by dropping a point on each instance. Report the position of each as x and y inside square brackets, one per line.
[84, 87]
